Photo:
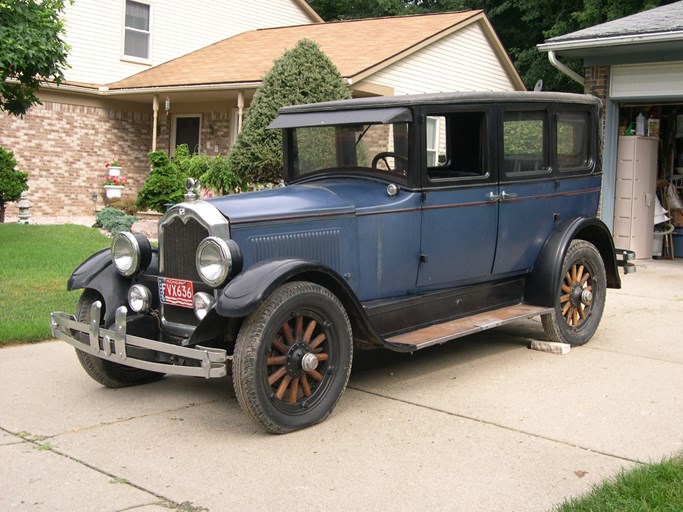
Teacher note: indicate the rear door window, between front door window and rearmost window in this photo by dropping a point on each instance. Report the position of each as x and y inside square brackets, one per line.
[524, 144]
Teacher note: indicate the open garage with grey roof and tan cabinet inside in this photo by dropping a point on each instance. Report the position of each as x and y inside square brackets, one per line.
[635, 65]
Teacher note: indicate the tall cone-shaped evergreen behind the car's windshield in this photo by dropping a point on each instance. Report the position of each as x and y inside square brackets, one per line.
[303, 74]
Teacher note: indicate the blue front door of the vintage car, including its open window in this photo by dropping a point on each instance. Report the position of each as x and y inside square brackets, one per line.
[459, 210]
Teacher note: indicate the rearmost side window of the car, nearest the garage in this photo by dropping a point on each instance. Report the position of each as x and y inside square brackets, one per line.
[573, 141]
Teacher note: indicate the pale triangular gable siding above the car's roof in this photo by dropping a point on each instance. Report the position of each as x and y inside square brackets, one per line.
[463, 61]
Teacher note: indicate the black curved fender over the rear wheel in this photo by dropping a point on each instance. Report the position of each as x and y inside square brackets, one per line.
[549, 264]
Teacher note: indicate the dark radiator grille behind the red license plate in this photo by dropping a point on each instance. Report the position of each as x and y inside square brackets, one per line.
[179, 244]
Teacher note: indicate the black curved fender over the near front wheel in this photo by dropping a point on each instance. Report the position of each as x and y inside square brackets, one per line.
[244, 294]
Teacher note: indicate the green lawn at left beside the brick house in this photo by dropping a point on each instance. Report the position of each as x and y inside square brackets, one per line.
[35, 263]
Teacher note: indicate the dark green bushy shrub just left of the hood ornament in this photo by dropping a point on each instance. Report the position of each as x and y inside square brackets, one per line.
[165, 184]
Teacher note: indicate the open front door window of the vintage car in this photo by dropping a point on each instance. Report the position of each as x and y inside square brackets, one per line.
[457, 145]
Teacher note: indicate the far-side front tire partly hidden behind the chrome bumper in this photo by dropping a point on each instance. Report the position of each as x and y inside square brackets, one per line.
[108, 374]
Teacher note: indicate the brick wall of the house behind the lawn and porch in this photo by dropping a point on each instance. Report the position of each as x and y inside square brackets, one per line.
[64, 148]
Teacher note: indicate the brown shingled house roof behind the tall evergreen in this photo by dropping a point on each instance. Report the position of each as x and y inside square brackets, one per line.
[353, 46]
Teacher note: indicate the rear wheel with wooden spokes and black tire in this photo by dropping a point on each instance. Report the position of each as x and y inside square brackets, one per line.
[579, 296]
